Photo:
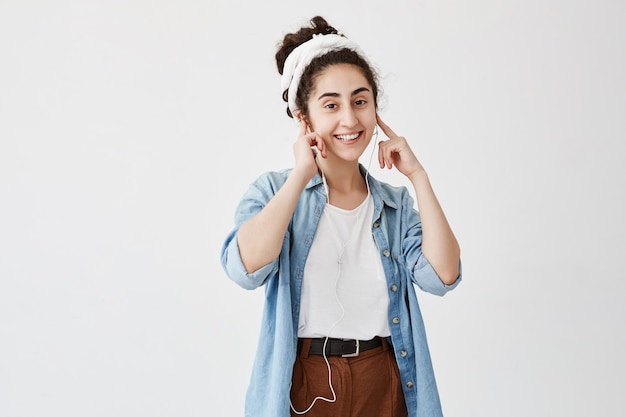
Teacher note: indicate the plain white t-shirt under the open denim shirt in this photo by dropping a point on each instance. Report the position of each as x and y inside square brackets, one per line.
[344, 290]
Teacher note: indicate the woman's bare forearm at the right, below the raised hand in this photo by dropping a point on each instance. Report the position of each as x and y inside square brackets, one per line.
[439, 245]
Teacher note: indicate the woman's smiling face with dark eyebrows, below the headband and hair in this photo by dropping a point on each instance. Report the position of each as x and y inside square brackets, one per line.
[342, 110]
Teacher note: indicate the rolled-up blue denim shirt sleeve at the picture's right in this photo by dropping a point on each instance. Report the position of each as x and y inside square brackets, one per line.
[424, 275]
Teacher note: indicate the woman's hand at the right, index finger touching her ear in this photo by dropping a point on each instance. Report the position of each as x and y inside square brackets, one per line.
[396, 152]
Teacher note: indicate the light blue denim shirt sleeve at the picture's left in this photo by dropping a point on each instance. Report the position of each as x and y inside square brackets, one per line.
[254, 200]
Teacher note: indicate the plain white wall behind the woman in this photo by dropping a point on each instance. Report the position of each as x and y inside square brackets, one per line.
[129, 130]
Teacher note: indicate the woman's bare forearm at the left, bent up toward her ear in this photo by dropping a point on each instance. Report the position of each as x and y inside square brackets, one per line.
[260, 238]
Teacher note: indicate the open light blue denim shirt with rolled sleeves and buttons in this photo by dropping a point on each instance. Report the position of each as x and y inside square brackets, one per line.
[397, 231]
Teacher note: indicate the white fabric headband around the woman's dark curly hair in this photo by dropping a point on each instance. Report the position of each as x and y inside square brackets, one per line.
[301, 57]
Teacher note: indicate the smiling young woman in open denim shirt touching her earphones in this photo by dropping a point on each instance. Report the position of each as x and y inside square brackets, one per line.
[338, 251]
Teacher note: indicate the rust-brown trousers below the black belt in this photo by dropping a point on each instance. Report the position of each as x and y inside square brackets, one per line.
[365, 386]
